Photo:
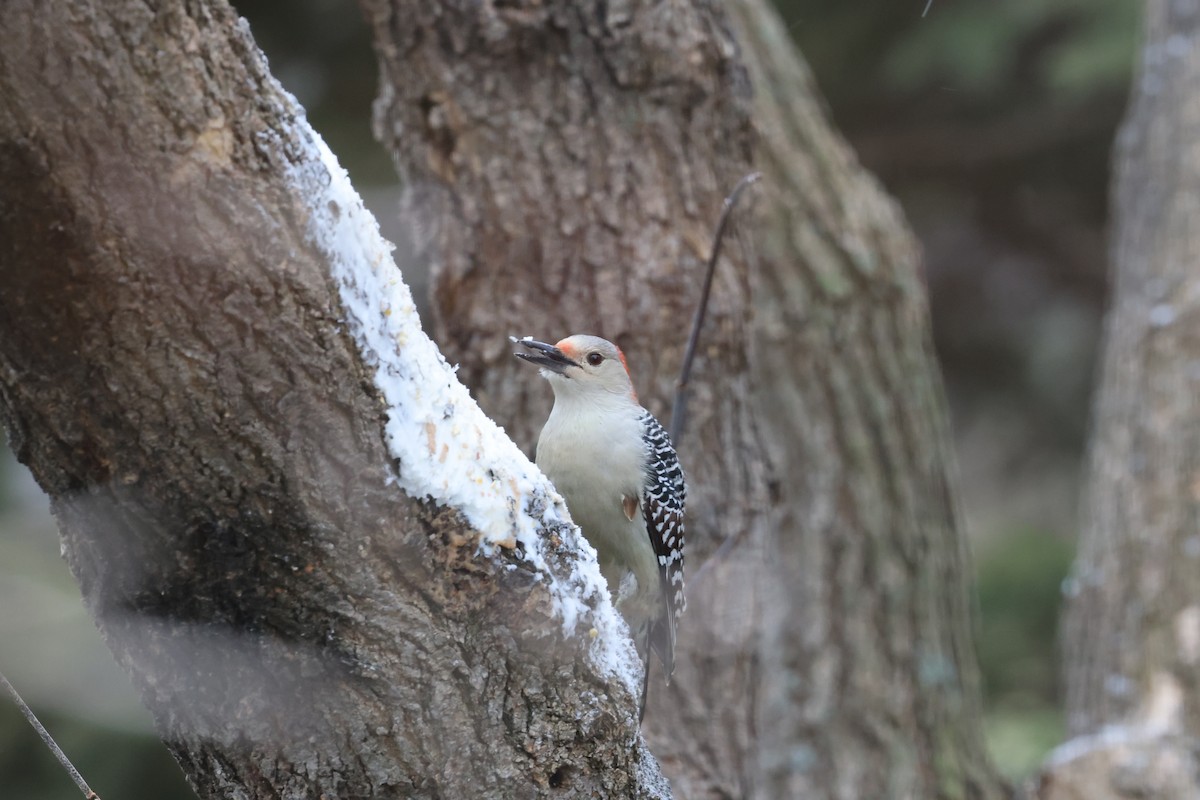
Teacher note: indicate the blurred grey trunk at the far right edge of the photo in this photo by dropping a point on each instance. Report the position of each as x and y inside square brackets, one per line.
[1132, 629]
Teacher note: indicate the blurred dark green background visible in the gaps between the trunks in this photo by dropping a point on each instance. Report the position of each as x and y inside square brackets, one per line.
[993, 125]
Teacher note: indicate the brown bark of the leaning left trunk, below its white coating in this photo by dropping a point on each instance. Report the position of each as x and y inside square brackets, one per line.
[177, 372]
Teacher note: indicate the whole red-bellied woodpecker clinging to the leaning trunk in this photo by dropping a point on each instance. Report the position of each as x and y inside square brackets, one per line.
[616, 468]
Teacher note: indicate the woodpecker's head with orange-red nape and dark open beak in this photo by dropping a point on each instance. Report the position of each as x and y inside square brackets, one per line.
[580, 365]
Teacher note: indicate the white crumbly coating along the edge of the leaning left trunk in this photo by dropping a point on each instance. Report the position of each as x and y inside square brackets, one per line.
[445, 447]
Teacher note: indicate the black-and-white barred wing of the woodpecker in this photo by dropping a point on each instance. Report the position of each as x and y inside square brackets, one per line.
[663, 503]
